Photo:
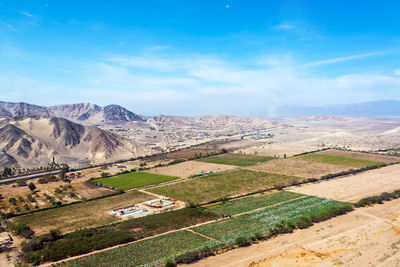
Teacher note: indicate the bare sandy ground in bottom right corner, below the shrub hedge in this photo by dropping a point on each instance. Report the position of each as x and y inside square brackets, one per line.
[365, 237]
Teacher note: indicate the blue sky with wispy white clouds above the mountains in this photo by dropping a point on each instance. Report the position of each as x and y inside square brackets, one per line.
[199, 57]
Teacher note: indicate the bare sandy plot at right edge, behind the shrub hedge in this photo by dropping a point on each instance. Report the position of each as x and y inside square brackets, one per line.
[354, 187]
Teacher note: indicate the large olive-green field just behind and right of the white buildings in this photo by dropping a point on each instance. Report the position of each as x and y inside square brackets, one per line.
[224, 184]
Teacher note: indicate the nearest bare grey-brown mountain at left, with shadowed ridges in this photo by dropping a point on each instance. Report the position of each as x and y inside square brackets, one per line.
[34, 141]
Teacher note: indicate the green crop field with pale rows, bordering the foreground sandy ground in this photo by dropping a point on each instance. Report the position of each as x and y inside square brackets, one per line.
[261, 221]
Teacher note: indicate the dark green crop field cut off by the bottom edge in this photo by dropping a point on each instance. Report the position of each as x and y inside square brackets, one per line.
[150, 252]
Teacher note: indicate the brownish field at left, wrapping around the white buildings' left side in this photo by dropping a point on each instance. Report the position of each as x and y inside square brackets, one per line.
[87, 214]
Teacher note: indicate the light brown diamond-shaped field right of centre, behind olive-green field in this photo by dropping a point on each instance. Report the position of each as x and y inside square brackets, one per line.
[299, 167]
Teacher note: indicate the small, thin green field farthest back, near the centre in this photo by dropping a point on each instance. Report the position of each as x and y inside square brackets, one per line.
[236, 159]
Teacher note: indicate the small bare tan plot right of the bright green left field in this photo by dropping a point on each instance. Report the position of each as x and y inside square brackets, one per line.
[185, 169]
